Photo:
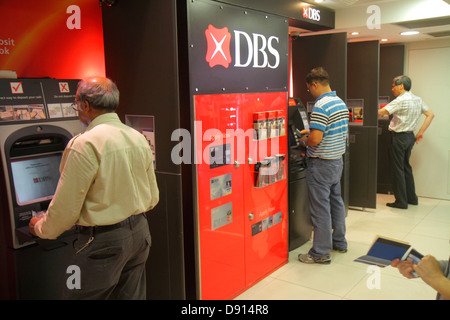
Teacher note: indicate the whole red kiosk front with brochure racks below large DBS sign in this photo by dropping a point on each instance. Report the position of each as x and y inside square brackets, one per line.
[241, 160]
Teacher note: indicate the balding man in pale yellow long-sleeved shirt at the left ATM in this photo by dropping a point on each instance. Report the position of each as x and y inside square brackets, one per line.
[107, 182]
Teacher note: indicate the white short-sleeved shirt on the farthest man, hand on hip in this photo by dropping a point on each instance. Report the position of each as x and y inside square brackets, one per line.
[406, 110]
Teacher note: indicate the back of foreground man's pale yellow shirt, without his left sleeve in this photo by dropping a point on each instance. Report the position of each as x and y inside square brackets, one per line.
[122, 162]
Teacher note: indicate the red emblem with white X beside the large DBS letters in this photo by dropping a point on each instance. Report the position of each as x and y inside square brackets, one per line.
[218, 52]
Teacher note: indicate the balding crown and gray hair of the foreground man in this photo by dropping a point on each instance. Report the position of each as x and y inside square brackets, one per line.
[101, 93]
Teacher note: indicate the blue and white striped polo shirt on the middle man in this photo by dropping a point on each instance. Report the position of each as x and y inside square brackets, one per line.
[330, 115]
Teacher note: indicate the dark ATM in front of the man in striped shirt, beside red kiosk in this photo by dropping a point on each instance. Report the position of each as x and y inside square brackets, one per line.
[300, 225]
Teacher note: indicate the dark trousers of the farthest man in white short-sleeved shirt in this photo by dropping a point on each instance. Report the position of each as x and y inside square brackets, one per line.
[401, 170]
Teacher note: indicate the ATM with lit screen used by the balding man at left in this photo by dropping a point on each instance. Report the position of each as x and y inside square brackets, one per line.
[37, 122]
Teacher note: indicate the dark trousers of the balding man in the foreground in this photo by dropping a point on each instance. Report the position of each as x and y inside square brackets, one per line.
[112, 266]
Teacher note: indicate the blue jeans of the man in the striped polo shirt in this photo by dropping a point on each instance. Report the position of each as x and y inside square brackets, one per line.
[326, 205]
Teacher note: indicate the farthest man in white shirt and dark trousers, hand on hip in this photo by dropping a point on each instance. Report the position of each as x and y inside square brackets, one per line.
[406, 110]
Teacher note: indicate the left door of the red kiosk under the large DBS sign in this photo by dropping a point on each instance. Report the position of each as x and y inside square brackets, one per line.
[219, 199]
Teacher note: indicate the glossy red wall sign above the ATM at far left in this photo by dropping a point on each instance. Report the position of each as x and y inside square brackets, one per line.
[59, 39]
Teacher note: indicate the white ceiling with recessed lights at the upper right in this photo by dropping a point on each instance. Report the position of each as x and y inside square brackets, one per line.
[352, 16]
